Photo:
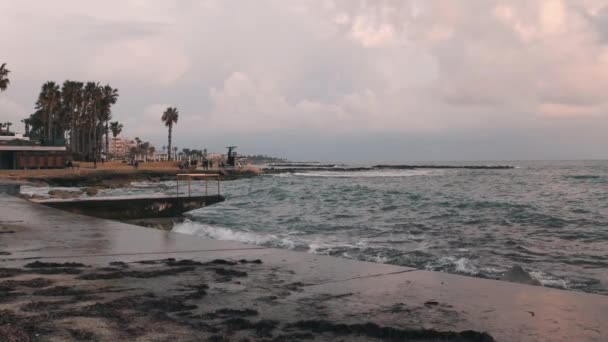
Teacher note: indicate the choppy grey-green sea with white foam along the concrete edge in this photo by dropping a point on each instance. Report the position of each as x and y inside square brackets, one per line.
[549, 217]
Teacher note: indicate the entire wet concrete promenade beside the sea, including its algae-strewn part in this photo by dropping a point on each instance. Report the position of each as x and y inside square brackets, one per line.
[279, 288]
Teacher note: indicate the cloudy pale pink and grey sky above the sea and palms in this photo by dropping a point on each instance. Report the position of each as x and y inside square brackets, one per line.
[340, 80]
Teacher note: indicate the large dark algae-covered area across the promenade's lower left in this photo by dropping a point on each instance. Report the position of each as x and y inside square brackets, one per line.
[176, 300]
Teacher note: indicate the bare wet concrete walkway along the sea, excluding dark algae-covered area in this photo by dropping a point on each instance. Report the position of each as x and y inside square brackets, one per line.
[335, 289]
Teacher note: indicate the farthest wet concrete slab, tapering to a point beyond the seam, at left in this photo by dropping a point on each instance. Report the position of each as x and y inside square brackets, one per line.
[47, 232]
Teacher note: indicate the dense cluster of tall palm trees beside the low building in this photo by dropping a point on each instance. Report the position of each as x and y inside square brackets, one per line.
[77, 112]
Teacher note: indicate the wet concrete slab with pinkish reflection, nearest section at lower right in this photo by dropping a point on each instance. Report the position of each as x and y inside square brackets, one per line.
[511, 312]
